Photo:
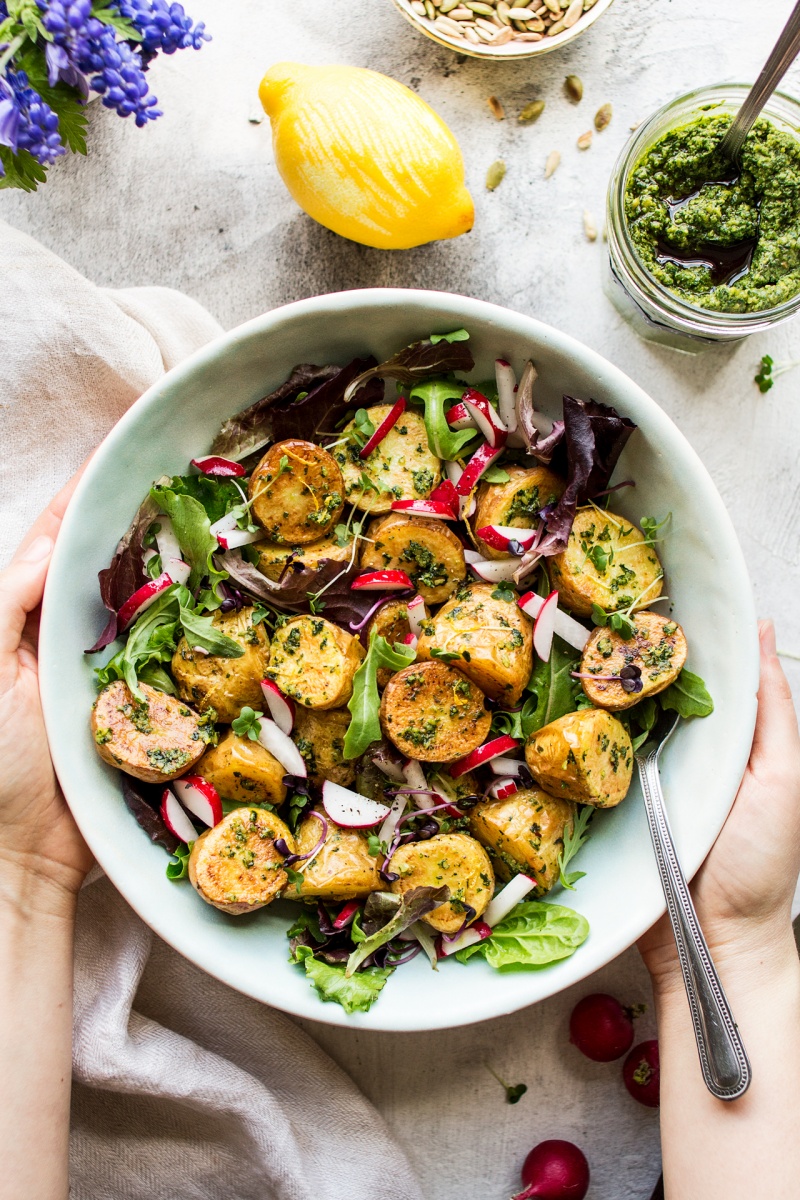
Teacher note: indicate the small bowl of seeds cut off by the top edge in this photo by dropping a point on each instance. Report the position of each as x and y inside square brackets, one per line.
[503, 29]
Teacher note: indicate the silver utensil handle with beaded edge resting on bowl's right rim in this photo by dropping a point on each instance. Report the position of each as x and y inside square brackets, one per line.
[724, 1059]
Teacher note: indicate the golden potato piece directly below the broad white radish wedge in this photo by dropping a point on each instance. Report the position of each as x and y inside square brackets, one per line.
[342, 871]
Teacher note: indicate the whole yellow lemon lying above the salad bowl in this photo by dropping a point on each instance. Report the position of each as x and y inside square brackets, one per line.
[365, 157]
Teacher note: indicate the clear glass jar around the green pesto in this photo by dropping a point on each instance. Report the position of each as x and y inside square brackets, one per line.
[654, 311]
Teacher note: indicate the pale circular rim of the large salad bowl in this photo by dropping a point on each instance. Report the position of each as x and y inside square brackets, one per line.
[124, 877]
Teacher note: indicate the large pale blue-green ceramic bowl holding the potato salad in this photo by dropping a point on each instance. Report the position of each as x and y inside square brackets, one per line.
[706, 574]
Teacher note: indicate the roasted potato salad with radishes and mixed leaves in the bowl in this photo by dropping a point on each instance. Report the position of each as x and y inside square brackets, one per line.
[383, 656]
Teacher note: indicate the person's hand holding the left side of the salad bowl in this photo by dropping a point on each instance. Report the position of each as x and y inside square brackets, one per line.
[38, 833]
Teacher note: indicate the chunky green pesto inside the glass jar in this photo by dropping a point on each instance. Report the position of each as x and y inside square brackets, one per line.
[721, 238]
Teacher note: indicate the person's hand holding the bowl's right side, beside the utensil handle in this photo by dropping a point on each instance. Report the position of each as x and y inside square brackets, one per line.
[743, 893]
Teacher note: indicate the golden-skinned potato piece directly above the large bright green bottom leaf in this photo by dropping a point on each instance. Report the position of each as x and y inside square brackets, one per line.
[525, 835]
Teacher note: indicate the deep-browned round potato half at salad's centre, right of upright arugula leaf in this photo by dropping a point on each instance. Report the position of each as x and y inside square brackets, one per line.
[434, 713]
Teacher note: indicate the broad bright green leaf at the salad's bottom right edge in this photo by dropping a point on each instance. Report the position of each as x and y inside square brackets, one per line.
[532, 937]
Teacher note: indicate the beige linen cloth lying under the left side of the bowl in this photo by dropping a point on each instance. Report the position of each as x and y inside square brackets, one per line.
[183, 1089]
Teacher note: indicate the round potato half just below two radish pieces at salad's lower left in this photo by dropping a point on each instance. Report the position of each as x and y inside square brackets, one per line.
[236, 867]
